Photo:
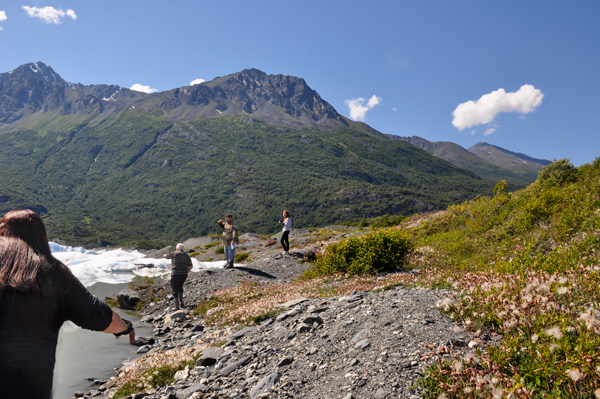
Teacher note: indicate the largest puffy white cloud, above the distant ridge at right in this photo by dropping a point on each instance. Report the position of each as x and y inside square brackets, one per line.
[484, 110]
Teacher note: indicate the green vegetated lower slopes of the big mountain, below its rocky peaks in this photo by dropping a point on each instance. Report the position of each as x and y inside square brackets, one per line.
[137, 179]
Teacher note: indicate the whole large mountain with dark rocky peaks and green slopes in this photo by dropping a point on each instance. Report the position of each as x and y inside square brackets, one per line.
[104, 164]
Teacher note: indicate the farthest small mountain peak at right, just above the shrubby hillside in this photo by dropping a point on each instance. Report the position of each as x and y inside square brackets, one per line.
[513, 161]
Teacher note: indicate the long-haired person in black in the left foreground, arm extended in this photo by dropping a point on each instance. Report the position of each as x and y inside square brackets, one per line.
[37, 294]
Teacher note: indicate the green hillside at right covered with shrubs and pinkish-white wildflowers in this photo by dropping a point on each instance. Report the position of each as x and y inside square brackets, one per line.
[526, 265]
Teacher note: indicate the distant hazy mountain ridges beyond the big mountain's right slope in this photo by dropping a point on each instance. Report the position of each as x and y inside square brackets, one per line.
[486, 167]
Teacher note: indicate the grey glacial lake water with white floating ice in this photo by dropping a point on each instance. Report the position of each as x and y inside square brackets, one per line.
[83, 355]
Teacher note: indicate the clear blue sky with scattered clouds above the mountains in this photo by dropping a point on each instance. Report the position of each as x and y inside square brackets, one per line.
[531, 69]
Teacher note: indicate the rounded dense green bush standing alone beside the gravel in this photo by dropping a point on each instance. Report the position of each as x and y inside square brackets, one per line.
[366, 254]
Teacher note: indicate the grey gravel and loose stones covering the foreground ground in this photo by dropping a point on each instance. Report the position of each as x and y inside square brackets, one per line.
[372, 344]
